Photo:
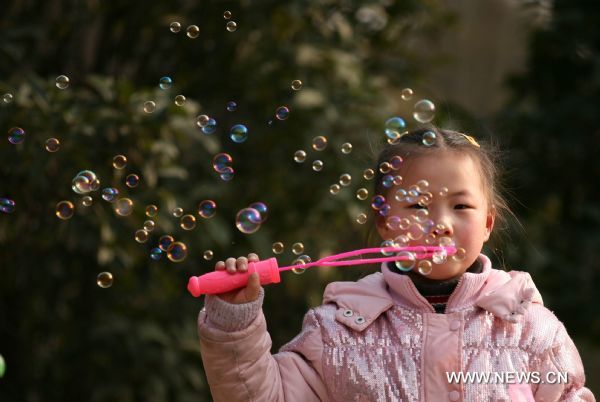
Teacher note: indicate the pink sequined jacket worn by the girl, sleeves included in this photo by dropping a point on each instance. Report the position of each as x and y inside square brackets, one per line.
[378, 339]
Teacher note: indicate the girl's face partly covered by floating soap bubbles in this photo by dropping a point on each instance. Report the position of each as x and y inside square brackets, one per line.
[464, 211]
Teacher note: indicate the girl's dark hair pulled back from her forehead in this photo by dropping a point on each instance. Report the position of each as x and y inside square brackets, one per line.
[421, 142]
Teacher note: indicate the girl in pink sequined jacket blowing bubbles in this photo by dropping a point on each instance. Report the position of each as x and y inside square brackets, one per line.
[454, 330]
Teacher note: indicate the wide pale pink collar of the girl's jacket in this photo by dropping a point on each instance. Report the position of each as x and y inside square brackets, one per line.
[507, 295]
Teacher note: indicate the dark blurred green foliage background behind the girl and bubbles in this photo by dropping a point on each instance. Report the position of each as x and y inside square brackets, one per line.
[525, 74]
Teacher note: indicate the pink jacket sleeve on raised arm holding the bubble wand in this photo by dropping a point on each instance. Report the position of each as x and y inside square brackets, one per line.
[239, 366]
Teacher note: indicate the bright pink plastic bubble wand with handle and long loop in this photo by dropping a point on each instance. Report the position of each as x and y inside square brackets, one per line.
[220, 281]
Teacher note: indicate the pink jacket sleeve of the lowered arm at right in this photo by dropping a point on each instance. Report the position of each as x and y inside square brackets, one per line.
[562, 358]
